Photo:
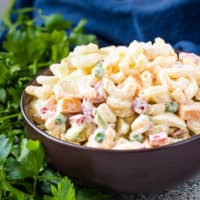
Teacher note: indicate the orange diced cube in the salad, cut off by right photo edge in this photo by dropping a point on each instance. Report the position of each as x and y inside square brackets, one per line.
[190, 111]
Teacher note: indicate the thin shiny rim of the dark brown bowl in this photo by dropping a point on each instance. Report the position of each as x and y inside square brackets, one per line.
[85, 148]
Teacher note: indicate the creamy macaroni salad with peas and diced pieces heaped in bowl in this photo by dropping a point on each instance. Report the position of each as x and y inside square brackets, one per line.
[120, 97]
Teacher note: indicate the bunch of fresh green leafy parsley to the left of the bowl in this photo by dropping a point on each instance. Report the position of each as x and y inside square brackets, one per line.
[27, 48]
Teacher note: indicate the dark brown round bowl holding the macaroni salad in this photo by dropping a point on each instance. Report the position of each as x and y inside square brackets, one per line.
[118, 170]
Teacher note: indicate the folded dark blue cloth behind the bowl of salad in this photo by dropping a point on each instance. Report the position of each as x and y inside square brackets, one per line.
[121, 21]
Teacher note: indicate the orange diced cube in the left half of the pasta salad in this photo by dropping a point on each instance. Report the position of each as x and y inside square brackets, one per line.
[69, 105]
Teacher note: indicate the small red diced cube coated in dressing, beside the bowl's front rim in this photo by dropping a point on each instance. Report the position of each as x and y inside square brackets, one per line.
[158, 139]
